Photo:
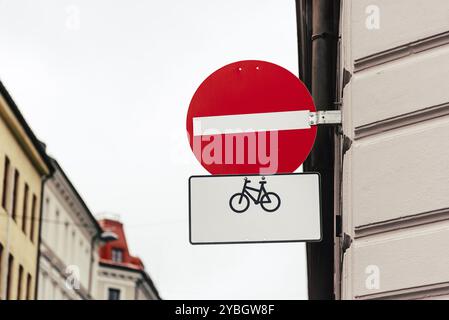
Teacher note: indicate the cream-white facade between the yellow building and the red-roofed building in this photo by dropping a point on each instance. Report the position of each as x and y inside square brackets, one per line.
[69, 254]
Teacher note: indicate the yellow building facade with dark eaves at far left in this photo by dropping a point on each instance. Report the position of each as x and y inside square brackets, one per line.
[24, 167]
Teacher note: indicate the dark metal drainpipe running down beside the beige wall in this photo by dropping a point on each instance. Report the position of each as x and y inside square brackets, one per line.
[320, 256]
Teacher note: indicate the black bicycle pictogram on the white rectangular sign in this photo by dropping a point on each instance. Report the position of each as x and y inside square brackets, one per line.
[269, 201]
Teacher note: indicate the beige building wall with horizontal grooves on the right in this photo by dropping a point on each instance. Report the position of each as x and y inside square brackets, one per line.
[396, 175]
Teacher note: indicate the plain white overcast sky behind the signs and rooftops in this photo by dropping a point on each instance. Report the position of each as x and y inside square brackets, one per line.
[107, 84]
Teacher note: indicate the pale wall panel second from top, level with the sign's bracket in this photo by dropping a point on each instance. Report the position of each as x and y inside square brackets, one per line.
[399, 87]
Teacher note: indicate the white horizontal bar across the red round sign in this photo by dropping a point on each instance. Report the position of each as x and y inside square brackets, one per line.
[253, 122]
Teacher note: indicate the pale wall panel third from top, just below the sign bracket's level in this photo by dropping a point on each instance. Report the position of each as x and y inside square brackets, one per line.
[401, 172]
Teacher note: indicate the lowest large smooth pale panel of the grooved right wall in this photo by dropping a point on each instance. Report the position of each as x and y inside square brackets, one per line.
[408, 259]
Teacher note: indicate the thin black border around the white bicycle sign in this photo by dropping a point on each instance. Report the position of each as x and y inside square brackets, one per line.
[254, 242]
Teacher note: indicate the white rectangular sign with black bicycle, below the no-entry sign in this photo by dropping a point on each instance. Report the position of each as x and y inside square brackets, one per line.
[253, 208]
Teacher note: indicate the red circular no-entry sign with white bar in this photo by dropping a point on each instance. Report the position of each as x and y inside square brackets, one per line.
[250, 117]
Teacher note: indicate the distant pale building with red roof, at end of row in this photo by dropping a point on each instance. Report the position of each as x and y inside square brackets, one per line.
[122, 276]
